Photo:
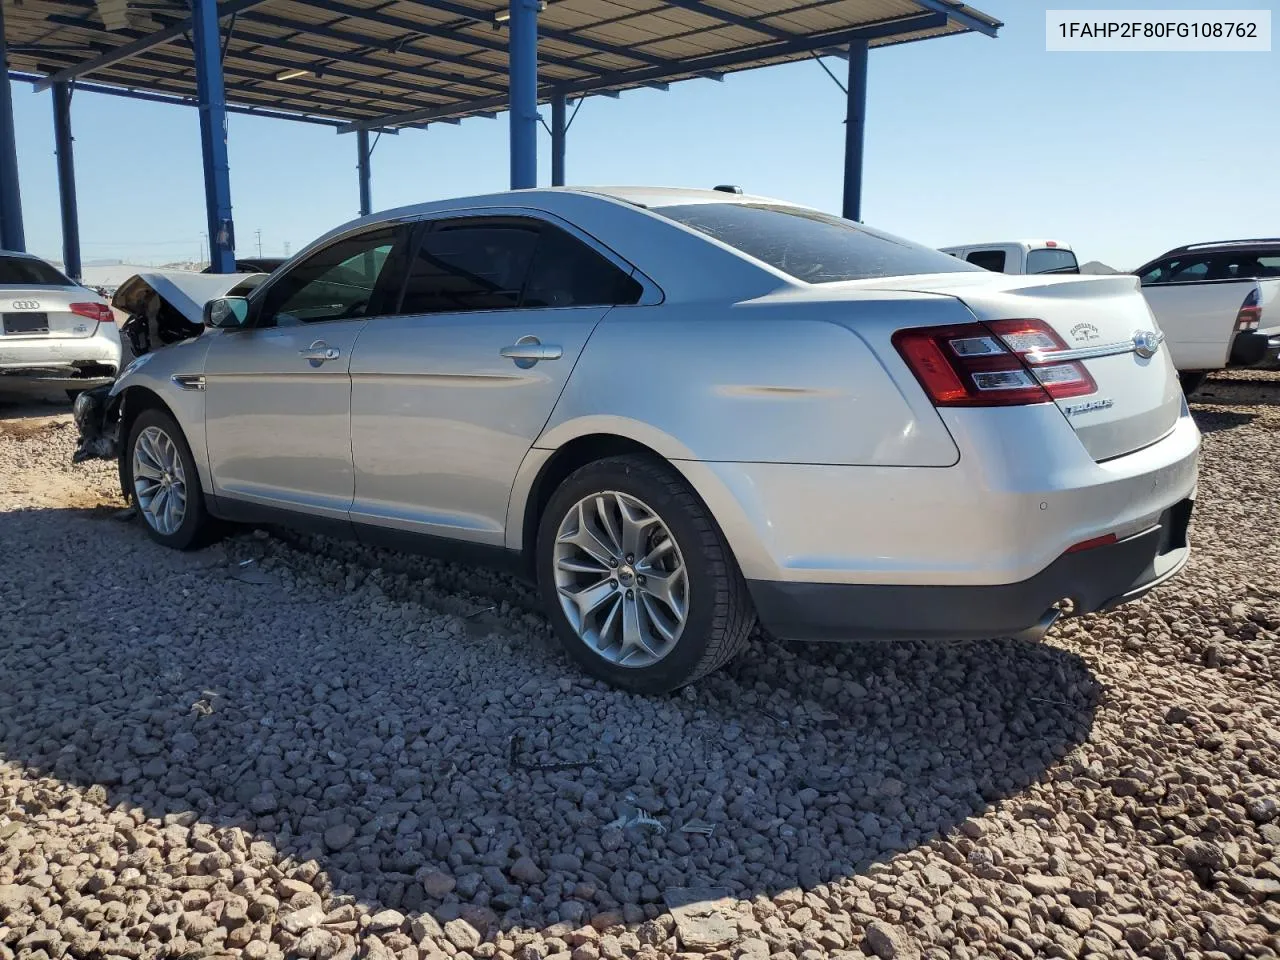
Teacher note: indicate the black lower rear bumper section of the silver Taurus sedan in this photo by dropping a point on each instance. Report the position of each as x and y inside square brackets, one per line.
[1094, 580]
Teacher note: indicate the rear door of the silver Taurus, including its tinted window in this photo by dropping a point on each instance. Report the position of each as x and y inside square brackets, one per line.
[449, 396]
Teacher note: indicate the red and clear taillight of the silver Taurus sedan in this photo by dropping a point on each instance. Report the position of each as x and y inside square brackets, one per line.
[999, 364]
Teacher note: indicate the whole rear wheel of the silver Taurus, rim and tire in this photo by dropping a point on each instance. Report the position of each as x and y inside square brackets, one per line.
[639, 582]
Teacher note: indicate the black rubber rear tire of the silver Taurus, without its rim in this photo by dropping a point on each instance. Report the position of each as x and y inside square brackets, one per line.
[721, 614]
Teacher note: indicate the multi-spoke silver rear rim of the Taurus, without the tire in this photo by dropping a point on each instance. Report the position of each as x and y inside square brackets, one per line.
[621, 579]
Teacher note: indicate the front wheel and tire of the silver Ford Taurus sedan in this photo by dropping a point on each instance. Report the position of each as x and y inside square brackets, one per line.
[164, 483]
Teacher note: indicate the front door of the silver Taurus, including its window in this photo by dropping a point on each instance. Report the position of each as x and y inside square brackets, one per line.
[278, 392]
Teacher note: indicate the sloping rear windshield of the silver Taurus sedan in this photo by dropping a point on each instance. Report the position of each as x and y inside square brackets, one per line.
[811, 246]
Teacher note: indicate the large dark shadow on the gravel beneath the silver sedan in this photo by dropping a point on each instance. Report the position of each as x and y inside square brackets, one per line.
[429, 769]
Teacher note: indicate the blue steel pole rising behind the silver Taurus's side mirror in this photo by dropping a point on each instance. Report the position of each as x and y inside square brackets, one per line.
[212, 100]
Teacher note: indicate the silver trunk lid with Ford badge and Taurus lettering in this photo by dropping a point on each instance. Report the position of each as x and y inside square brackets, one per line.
[1105, 324]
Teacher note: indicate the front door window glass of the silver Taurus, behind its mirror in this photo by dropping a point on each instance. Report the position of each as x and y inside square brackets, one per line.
[339, 282]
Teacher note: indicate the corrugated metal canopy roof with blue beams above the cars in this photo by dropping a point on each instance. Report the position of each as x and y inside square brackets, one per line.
[405, 63]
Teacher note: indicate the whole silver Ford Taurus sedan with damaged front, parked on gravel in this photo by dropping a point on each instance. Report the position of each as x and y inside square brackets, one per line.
[682, 412]
